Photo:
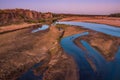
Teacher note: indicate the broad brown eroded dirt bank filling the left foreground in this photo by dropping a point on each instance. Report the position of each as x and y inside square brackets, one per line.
[21, 49]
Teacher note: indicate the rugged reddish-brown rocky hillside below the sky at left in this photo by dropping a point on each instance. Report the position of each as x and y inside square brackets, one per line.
[9, 16]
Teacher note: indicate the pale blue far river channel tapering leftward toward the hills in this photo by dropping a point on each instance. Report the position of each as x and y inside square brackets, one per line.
[107, 29]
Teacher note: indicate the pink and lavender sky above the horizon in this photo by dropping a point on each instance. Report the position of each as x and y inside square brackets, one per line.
[65, 6]
